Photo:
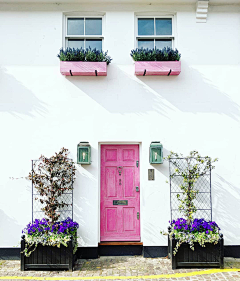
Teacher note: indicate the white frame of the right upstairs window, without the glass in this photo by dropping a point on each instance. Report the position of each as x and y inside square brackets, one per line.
[154, 37]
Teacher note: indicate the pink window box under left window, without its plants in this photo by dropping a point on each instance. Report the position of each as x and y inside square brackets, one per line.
[83, 68]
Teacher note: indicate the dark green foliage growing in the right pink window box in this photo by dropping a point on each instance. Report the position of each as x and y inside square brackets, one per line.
[166, 54]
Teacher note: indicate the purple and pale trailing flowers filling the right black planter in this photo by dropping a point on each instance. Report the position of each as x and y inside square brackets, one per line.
[199, 230]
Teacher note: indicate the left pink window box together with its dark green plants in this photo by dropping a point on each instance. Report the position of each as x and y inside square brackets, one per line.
[80, 62]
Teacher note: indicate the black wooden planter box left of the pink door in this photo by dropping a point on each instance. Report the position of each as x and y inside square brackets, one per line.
[48, 257]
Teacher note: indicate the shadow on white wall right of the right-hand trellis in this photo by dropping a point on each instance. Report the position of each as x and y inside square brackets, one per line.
[227, 208]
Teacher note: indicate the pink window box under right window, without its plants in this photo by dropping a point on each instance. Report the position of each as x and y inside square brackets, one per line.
[157, 68]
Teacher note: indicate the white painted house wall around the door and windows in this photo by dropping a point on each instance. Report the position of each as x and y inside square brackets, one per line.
[42, 111]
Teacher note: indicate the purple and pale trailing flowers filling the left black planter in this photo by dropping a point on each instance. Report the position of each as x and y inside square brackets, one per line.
[47, 234]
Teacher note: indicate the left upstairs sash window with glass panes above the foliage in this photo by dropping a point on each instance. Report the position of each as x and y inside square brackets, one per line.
[84, 32]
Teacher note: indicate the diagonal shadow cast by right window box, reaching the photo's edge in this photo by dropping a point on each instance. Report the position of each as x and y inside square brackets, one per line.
[192, 92]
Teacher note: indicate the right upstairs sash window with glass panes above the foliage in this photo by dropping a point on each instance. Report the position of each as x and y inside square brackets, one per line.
[154, 32]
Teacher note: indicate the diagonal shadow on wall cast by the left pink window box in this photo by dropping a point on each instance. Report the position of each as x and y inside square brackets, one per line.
[120, 93]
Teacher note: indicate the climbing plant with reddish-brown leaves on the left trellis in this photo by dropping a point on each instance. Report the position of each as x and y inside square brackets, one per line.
[52, 177]
